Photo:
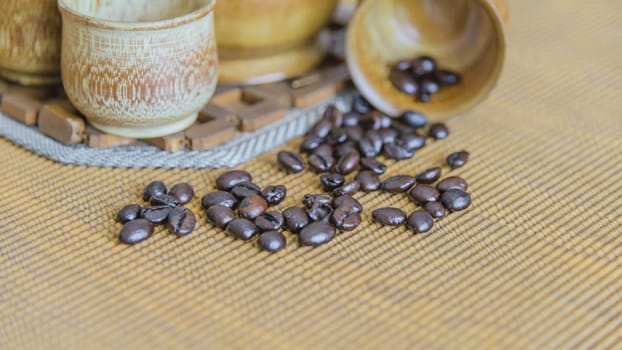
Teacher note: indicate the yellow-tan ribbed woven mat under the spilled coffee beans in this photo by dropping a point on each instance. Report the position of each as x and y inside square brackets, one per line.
[535, 263]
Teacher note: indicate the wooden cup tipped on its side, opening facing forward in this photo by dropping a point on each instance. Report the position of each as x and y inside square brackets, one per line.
[466, 36]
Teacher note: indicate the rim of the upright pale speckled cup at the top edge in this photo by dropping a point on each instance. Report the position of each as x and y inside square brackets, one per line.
[136, 26]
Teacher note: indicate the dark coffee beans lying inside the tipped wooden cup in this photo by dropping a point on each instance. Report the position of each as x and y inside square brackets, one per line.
[421, 78]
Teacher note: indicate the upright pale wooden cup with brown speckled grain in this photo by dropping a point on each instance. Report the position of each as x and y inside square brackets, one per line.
[139, 68]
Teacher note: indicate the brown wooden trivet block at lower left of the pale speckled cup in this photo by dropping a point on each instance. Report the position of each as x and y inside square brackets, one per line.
[61, 125]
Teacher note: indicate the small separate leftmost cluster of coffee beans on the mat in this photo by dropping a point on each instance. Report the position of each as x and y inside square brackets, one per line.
[166, 209]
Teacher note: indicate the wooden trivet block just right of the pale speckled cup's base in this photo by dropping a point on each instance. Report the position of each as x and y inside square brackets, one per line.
[206, 135]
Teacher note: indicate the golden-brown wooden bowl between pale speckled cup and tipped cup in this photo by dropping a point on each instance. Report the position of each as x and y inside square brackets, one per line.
[260, 41]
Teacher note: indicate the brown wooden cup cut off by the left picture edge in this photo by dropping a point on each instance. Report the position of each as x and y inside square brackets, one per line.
[30, 42]
